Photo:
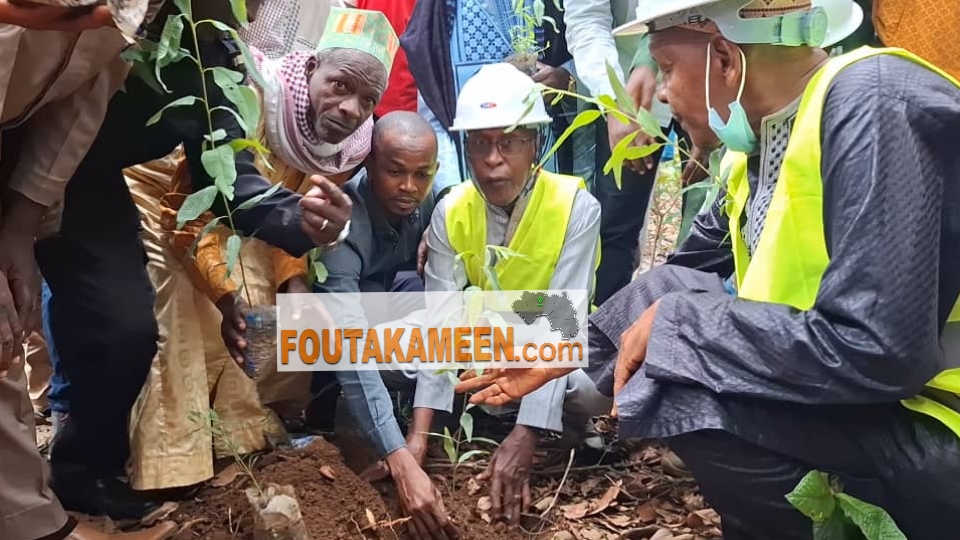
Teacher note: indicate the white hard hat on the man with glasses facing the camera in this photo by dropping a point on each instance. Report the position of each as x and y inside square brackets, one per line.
[498, 96]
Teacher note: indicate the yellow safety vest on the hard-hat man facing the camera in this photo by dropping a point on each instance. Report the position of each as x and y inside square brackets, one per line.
[537, 241]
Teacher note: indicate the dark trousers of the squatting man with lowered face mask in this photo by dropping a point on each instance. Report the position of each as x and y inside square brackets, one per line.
[906, 463]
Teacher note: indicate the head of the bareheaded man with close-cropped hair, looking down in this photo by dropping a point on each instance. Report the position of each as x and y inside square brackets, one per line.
[402, 162]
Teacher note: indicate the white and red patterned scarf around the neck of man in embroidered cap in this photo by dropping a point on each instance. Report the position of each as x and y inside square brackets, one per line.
[290, 132]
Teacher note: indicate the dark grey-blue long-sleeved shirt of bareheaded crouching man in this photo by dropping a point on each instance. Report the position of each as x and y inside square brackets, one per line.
[372, 252]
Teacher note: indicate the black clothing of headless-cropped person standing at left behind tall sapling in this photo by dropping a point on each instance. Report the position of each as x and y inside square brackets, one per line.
[101, 314]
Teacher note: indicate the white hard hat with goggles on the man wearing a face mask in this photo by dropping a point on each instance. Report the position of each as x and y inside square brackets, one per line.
[817, 23]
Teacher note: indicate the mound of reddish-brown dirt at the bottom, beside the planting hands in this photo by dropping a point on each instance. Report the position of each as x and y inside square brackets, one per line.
[335, 503]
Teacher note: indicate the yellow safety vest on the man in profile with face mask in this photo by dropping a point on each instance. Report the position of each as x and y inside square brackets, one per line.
[791, 255]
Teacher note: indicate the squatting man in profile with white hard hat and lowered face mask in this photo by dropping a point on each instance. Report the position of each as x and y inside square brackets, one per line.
[810, 320]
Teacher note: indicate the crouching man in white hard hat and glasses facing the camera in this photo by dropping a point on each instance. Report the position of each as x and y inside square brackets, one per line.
[548, 219]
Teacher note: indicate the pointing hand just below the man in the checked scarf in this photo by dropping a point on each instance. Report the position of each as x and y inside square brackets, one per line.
[326, 211]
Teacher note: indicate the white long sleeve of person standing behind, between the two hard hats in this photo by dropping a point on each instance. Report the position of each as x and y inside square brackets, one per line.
[590, 40]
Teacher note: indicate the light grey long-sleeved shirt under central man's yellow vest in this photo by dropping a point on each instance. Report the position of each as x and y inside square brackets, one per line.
[575, 270]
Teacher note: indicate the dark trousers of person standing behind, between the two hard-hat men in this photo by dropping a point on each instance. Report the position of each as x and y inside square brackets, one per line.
[623, 212]
